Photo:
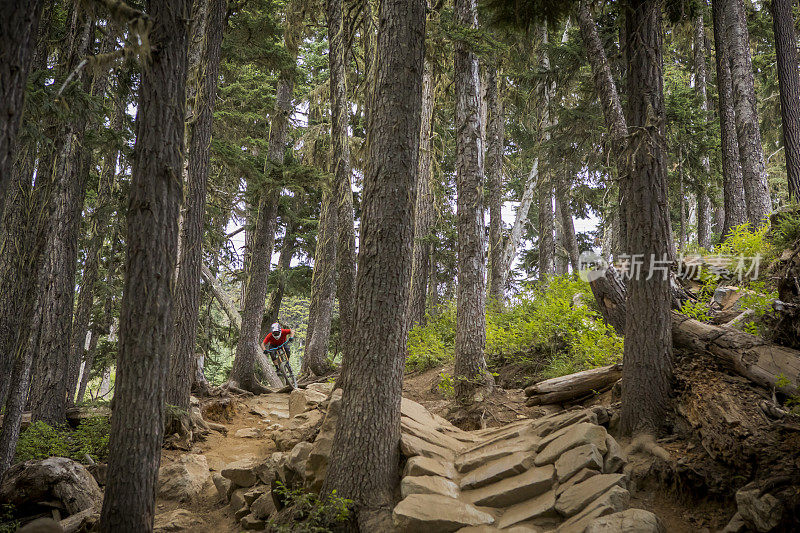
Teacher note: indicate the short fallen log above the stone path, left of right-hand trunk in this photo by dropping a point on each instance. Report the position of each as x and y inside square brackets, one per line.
[572, 386]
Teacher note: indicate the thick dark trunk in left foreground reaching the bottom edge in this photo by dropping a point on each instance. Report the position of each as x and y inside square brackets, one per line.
[146, 314]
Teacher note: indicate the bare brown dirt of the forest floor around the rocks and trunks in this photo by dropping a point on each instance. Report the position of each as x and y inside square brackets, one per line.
[653, 491]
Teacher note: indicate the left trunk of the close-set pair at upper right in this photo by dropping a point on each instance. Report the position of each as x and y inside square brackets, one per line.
[732, 180]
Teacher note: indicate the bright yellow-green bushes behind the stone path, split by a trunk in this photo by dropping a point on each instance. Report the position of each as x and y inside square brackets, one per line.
[541, 328]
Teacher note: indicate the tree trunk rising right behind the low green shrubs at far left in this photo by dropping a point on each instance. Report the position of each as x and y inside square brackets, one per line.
[56, 293]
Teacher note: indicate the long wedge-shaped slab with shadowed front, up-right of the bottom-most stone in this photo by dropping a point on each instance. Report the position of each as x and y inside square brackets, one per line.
[513, 490]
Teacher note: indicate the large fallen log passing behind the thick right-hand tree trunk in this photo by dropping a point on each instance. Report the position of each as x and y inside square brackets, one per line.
[769, 365]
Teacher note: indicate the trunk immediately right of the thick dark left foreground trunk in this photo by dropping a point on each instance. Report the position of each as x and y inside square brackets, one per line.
[187, 287]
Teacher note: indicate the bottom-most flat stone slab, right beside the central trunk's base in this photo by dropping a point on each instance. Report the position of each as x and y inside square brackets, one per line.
[433, 513]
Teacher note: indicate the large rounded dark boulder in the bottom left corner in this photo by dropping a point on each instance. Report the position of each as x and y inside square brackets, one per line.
[53, 479]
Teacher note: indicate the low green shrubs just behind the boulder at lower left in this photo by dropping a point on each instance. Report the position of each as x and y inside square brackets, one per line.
[40, 441]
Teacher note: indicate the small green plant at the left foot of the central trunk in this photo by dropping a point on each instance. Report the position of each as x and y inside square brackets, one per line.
[309, 512]
